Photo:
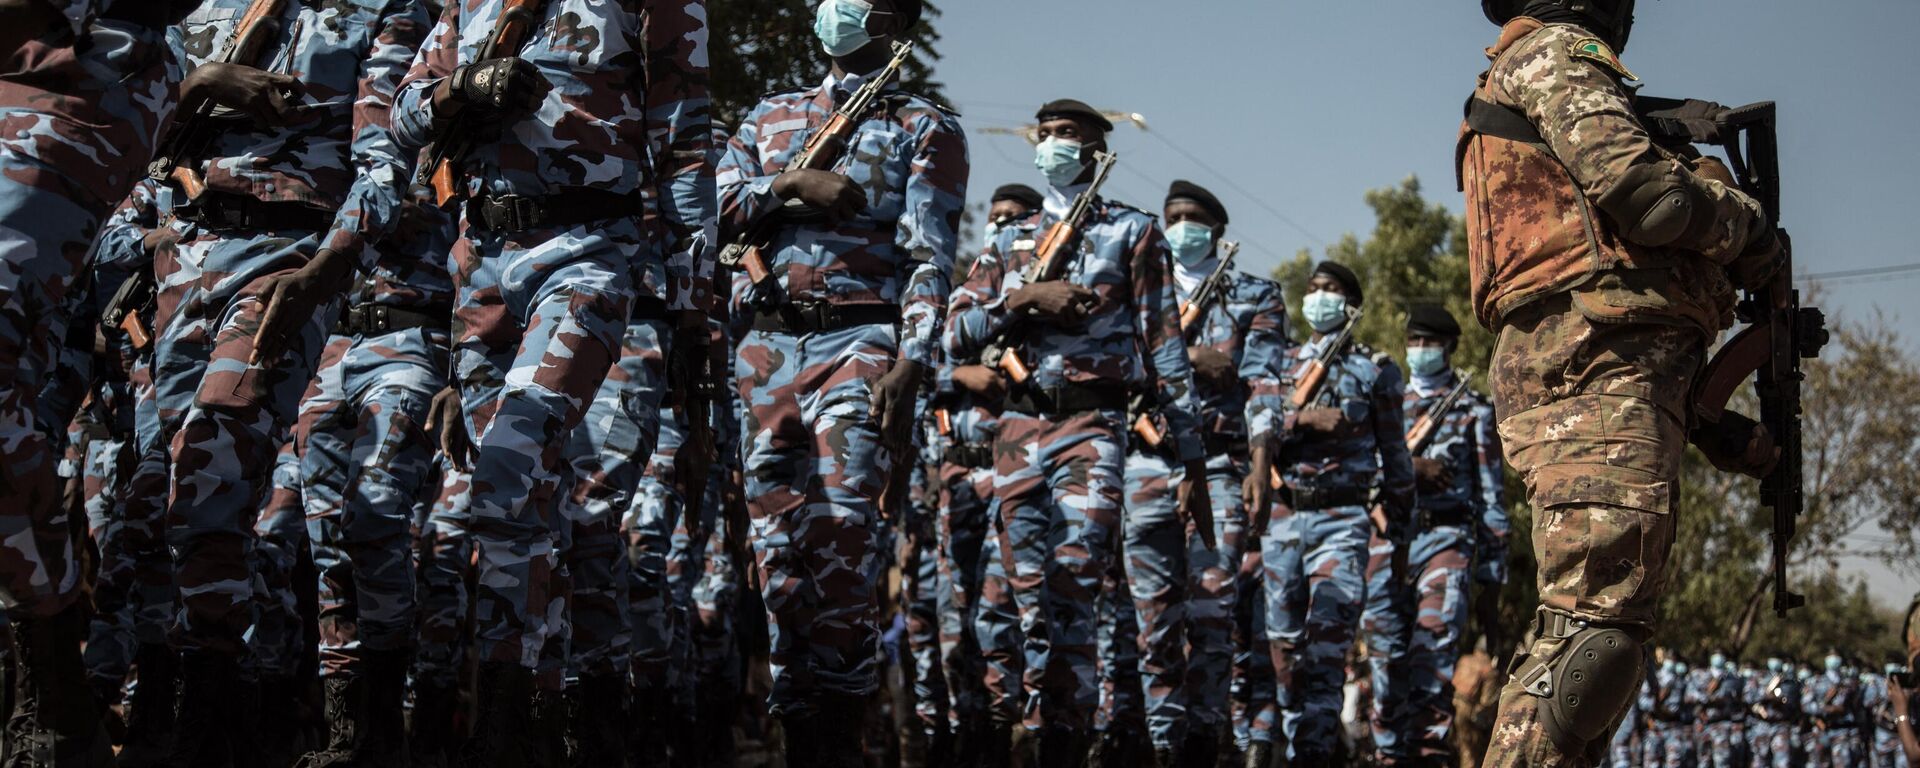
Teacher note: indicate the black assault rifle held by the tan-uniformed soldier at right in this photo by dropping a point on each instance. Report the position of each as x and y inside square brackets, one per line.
[1777, 339]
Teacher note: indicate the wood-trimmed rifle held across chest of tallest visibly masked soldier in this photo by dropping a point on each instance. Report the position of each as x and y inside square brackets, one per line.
[821, 153]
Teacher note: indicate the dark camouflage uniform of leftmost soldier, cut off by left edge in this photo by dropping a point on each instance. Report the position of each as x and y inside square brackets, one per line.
[78, 126]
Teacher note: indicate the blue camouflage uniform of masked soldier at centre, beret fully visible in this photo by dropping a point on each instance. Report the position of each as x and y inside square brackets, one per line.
[1061, 477]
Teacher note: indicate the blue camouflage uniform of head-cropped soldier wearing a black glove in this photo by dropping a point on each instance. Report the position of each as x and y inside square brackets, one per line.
[540, 314]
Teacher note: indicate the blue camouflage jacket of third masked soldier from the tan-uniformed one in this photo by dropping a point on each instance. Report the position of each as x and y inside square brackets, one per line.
[1249, 325]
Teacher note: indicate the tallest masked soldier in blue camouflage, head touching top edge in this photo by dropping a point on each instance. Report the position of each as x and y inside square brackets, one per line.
[842, 341]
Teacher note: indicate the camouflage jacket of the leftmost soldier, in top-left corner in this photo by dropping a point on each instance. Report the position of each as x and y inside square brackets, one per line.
[89, 103]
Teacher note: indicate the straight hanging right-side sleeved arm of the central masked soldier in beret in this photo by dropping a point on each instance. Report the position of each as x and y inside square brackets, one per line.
[1159, 324]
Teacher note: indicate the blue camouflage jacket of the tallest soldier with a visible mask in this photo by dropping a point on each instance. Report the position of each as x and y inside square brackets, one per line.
[911, 160]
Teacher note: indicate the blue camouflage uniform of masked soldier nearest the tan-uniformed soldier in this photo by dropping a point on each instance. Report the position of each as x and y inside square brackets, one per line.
[1462, 540]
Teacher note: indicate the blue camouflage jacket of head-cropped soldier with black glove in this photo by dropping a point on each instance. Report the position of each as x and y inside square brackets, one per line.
[629, 110]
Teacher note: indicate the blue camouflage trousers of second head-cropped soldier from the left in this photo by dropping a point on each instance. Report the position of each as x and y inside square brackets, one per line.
[222, 418]
